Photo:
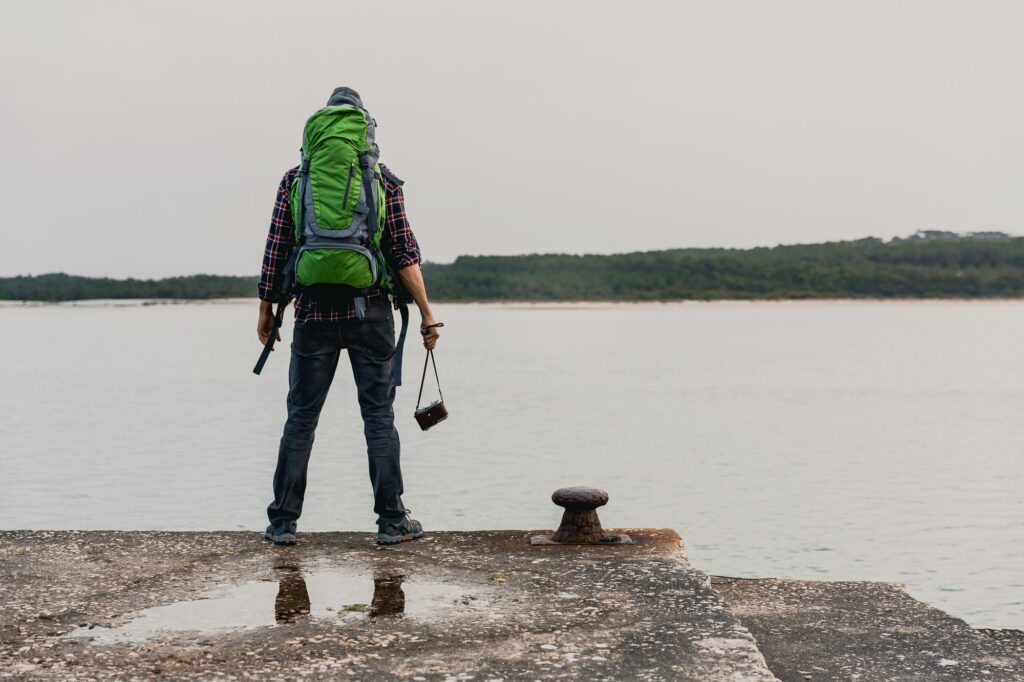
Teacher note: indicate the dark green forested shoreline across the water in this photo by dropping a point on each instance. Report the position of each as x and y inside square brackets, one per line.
[922, 267]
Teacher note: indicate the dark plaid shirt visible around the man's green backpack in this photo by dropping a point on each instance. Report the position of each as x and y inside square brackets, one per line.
[398, 243]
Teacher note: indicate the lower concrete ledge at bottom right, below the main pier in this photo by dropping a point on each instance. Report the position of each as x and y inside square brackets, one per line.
[812, 630]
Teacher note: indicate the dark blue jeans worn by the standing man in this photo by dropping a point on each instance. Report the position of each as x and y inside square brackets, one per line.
[316, 350]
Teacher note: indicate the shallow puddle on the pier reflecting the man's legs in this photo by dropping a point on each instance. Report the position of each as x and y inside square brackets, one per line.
[294, 596]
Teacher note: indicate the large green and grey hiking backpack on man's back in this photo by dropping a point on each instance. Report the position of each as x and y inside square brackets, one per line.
[338, 203]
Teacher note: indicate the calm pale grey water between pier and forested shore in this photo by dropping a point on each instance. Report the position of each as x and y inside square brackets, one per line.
[822, 441]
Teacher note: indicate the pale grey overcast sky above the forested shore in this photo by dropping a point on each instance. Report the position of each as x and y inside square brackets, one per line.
[147, 140]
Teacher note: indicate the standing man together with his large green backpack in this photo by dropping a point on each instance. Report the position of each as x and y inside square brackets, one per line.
[339, 237]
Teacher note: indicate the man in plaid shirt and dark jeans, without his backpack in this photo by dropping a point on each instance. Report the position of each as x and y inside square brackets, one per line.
[323, 329]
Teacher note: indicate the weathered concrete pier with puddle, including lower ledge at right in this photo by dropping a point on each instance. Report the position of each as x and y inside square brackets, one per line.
[454, 606]
